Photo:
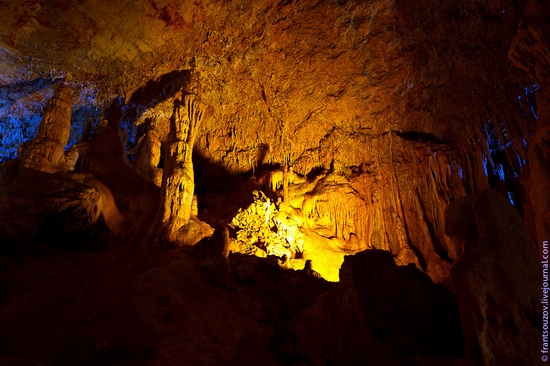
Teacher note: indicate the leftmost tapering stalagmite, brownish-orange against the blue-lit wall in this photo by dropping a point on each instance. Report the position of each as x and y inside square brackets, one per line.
[46, 152]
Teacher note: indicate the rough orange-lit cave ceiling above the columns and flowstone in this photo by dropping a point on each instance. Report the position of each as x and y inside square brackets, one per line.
[299, 82]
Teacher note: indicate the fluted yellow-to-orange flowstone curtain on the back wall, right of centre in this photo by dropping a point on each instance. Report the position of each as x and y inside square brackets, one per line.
[387, 204]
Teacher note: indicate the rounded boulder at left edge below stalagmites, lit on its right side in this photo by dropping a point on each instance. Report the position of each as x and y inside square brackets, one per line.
[68, 211]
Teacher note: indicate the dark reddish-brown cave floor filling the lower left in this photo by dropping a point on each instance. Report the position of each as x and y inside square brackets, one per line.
[98, 308]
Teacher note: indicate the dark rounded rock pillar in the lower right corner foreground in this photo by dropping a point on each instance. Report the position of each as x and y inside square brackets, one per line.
[496, 281]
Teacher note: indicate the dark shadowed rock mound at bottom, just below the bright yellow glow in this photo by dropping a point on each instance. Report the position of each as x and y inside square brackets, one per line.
[380, 313]
